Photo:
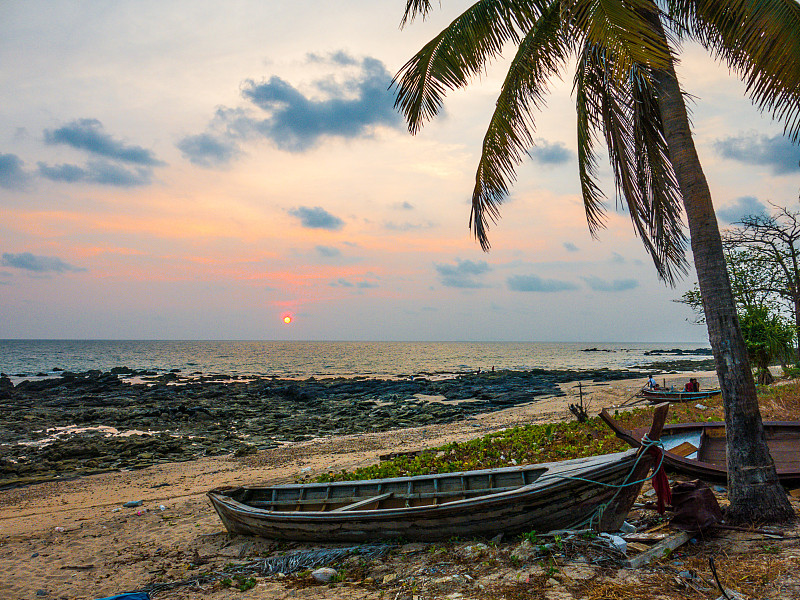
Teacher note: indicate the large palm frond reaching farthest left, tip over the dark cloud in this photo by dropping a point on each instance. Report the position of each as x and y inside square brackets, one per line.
[457, 54]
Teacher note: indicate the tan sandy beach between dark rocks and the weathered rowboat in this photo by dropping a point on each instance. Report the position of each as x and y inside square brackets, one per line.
[73, 539]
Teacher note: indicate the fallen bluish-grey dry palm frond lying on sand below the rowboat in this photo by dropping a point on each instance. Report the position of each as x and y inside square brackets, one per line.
[288, 563]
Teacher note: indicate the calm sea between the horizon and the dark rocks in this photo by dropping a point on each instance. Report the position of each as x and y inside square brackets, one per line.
[305, 359]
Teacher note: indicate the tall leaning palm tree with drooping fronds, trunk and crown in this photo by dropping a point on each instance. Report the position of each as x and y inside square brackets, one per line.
[627, 93]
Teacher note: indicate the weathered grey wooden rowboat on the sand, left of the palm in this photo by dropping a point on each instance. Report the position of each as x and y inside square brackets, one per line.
[542, 497]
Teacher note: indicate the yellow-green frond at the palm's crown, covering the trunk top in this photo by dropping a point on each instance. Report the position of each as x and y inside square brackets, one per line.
[624, 28]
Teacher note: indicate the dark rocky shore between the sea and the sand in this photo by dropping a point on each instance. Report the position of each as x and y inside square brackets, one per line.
[83, 423]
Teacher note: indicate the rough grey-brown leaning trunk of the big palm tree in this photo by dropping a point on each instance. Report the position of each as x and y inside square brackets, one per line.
[753, 487]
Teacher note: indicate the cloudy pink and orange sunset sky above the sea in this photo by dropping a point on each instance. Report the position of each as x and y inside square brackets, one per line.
[202, 170]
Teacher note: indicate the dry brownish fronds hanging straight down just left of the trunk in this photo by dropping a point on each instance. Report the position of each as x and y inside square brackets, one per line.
[630, 119]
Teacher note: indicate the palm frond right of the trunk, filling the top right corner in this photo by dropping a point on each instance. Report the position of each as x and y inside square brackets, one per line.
[758, 40]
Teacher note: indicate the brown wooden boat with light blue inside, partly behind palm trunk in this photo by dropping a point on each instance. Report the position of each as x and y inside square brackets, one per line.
[699, 449]
